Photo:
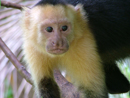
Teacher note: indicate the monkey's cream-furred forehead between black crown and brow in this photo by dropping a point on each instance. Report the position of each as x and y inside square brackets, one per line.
[51, 12]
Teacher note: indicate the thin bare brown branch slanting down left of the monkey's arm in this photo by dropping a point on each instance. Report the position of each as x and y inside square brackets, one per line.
[21, 69]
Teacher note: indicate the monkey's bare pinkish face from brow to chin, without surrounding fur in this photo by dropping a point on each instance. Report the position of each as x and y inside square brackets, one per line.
[55, 33]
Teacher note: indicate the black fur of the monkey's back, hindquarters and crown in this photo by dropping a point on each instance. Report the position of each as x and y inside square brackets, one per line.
[109, 21]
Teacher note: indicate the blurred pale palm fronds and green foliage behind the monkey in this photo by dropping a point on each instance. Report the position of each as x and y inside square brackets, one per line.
[12, 85]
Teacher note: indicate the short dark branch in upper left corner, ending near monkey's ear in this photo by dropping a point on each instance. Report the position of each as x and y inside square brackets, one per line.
[11, 5]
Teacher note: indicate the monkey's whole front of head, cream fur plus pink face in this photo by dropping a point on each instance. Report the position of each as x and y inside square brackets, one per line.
[51, 28]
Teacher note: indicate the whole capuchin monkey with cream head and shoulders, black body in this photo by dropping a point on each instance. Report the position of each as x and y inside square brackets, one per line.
[83, 37]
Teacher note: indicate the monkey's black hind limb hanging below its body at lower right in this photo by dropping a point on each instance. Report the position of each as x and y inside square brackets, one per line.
[116, 82]
